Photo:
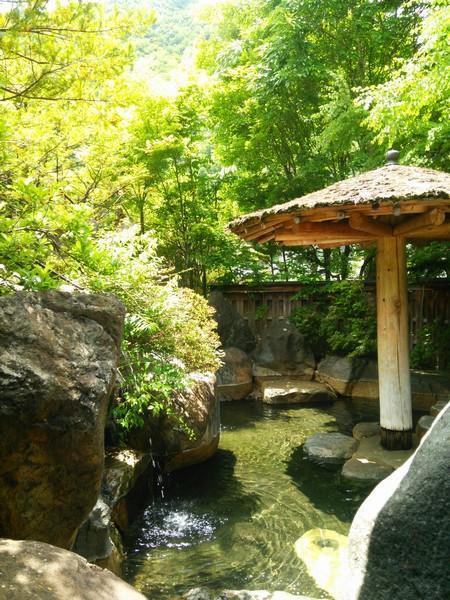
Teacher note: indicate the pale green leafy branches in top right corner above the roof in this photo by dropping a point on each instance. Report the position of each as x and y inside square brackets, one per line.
[411, 111]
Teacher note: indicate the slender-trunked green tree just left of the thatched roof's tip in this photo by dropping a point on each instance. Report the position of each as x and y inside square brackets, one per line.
[180, 191]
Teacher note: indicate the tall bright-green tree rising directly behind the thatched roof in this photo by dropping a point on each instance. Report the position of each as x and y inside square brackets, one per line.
[285, 76]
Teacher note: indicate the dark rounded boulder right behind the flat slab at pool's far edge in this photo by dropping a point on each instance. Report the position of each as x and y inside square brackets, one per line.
[283, 349]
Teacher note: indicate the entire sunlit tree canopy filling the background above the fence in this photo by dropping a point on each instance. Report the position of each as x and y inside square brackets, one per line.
[110, 183]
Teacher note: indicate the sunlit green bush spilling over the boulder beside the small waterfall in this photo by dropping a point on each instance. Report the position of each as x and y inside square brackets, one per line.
[169, 330]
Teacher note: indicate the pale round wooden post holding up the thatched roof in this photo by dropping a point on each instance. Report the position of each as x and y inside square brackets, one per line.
[393, 351]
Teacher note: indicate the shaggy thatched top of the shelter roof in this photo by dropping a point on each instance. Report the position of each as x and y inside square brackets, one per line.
[389, 184]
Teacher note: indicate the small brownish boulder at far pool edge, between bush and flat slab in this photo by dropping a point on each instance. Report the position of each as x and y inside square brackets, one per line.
[235, 377]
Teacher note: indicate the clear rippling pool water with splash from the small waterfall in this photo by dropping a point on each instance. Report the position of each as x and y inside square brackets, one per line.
[232, 522]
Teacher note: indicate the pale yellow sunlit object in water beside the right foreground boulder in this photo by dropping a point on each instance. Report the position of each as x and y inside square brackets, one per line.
[324, 553]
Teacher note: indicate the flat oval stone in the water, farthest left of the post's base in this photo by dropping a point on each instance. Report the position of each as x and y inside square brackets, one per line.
[330, 448]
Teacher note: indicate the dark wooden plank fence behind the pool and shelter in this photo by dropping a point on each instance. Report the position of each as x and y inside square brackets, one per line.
[261, 305]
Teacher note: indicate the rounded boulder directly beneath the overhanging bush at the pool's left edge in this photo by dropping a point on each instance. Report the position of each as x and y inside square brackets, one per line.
[163, 436]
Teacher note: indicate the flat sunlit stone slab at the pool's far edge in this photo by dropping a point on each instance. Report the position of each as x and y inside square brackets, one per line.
[287, 391]
